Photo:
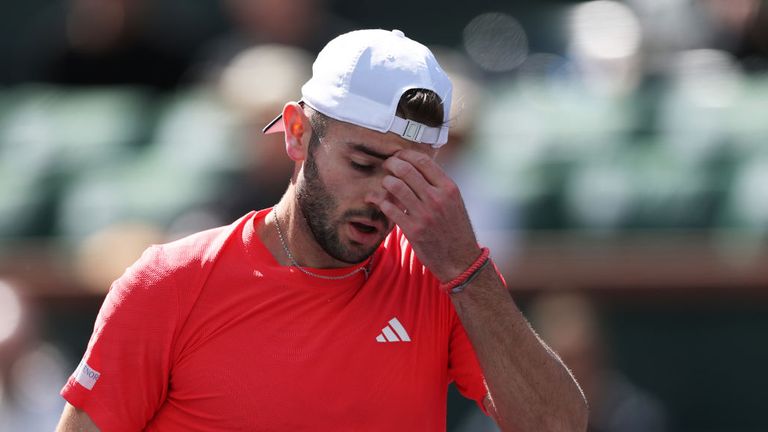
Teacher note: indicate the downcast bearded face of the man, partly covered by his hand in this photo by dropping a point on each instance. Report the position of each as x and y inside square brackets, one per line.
[339, 177]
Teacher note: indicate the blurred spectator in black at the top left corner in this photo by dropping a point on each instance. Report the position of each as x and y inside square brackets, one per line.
[98, 42]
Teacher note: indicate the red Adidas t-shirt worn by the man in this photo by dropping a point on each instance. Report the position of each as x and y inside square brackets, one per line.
[211, 333]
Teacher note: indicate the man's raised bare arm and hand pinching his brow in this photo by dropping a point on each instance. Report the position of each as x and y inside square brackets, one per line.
[530, 389]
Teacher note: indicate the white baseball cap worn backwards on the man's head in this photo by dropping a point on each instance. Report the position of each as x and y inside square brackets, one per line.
[360, 76]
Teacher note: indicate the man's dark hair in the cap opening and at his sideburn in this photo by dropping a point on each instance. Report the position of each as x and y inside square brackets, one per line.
[421, 105]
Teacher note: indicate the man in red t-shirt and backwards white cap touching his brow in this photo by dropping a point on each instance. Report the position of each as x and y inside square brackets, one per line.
[348, 306]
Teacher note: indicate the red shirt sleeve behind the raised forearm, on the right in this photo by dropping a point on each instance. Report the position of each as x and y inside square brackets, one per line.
[463, 367]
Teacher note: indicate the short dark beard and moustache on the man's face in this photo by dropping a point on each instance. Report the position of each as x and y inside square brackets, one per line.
[318, 206]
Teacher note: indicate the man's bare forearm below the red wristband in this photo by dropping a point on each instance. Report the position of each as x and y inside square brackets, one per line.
[531, 388]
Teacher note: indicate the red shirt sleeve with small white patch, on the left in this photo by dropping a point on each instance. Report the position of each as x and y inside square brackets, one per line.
[123, 377]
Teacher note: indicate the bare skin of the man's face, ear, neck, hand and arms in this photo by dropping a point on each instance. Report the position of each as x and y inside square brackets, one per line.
[370, 179]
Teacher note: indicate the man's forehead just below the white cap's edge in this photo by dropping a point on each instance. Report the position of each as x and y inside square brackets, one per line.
[383, 143]
